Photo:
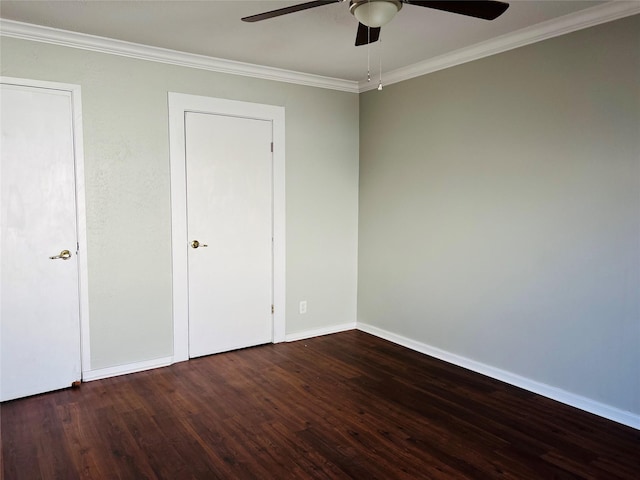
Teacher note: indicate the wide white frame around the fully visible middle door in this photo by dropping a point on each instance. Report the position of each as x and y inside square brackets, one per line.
[180, 103]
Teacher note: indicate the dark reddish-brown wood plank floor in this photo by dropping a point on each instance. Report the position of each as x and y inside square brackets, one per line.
[347, 405]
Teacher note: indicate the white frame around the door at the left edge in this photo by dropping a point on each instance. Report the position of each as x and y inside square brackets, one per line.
[81, 211]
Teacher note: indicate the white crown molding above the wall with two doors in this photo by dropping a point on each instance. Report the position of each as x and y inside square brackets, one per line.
[54, 36]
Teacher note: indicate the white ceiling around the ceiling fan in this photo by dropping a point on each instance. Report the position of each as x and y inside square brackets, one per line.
[317, 41]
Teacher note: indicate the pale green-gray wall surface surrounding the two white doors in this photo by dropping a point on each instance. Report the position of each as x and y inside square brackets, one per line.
[128, 194]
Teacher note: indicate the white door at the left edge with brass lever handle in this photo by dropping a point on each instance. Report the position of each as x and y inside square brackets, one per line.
[40, 324]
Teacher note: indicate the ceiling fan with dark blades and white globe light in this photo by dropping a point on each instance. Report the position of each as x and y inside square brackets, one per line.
[373, 14]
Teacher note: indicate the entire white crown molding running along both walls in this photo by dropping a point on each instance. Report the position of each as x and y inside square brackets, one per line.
[559, 26]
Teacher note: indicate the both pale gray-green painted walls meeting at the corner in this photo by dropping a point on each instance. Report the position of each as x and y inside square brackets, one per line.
[494, 212]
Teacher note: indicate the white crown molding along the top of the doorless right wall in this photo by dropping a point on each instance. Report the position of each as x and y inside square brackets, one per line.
[552, 28]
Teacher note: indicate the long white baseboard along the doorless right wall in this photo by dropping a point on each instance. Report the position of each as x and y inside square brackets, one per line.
[626, 418]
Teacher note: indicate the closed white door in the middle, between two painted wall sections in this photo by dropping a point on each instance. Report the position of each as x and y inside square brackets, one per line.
[229, 215]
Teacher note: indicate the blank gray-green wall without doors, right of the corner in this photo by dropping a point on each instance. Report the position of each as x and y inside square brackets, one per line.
[500, 212]
